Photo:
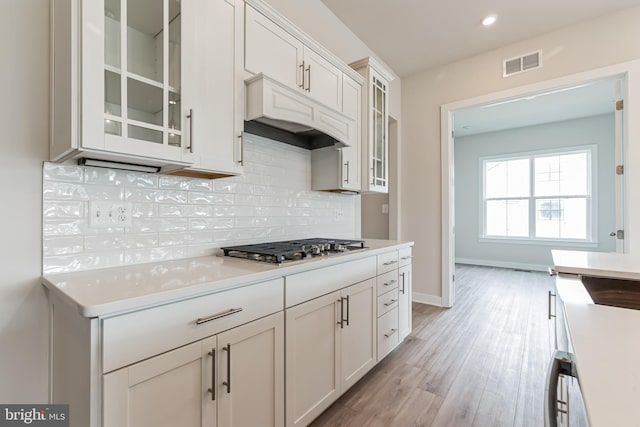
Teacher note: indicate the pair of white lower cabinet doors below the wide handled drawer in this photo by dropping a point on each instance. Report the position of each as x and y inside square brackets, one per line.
[232, 379]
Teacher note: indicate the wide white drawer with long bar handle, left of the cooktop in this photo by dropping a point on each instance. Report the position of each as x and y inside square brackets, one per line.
[136, 336]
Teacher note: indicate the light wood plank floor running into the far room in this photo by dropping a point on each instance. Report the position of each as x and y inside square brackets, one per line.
[481, 363]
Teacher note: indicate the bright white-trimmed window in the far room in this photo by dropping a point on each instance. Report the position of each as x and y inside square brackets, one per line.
[539, 196]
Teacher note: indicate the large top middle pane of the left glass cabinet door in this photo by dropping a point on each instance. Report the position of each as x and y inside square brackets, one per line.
[145, 38]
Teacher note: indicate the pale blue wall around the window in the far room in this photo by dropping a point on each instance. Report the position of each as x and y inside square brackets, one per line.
[598, 130]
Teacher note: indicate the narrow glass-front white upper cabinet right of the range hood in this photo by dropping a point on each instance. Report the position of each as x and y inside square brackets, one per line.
[375, 125]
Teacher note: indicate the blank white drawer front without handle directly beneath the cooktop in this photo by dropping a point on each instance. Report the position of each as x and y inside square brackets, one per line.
[308, 285]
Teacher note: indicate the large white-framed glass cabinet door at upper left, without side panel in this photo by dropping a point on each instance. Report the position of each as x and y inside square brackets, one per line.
[142, 78]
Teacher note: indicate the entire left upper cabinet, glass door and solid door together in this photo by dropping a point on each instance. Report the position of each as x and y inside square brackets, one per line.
[145, 82]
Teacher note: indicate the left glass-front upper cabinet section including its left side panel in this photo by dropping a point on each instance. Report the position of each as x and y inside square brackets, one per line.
[117, 81]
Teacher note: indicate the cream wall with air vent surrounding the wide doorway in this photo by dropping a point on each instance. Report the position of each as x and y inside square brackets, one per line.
[608, 40]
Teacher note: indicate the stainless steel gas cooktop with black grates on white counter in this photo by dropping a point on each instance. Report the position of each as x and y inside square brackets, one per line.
[292, 250]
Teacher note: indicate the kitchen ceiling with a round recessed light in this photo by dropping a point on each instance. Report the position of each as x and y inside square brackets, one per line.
[414, 35]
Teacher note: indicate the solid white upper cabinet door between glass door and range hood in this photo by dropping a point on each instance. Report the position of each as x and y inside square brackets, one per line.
[213, 87]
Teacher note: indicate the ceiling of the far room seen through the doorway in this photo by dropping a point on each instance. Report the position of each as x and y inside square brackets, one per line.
[583, 100]
